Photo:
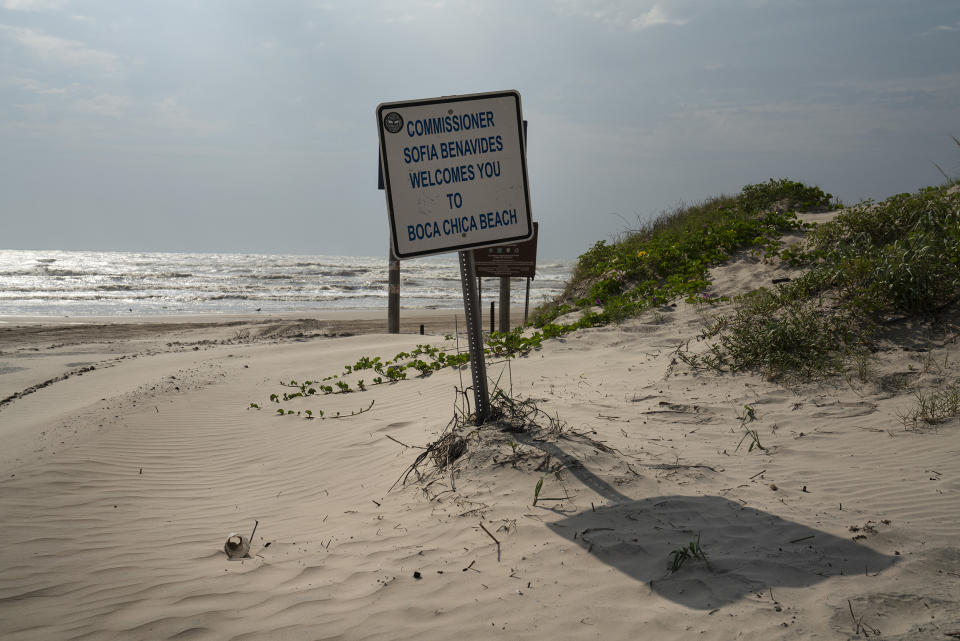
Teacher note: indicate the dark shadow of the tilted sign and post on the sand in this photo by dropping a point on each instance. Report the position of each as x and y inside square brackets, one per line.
[747, 550]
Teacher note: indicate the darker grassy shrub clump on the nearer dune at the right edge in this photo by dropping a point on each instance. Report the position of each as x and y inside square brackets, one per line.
[873, 267]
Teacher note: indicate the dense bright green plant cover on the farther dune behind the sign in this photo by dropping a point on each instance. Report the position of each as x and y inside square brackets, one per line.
[669, 258]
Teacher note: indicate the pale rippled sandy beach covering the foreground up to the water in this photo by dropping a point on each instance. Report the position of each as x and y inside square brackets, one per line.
[131, 452]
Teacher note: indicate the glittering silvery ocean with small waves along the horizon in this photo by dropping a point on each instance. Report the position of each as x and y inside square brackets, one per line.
[86, 283]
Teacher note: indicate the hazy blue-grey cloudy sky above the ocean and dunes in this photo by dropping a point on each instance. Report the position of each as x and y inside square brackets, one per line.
[243, 126]
